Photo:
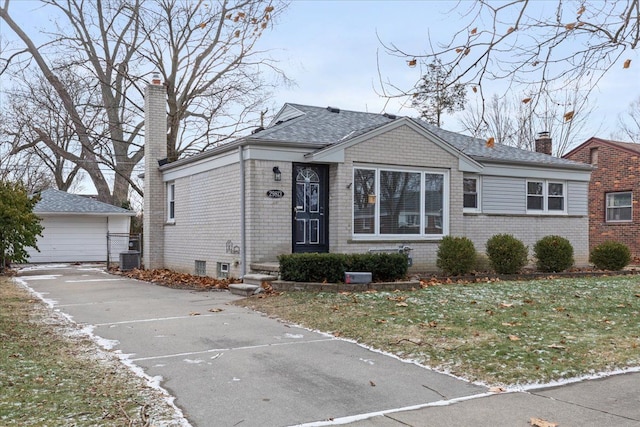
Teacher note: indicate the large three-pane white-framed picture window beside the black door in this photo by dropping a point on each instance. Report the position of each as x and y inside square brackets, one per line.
[392, 203]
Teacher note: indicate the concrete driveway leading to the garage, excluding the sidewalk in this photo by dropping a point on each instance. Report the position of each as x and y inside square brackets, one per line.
[230, 366]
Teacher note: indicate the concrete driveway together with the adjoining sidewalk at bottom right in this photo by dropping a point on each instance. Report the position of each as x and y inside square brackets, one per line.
[229, 366]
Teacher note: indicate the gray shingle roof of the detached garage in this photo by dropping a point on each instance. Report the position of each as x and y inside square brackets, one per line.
[56, 201]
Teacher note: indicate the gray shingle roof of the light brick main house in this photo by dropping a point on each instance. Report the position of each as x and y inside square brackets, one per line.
[318, 126]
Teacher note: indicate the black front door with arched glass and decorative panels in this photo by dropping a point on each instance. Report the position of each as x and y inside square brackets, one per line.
[310, 208]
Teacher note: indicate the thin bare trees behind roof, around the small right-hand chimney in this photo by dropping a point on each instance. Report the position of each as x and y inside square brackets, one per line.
[511, 121]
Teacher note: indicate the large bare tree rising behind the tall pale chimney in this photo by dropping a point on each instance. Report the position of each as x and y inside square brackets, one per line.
[205, 52]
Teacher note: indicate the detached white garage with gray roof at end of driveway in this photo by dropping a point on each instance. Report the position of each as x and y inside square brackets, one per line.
[76, 227]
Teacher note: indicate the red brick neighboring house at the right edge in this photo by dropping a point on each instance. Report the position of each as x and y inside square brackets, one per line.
[613, 191]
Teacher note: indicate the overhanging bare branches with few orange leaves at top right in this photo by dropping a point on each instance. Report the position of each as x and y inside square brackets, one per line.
[544, 46]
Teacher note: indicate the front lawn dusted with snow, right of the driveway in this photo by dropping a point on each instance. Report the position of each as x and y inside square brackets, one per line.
[498, 333]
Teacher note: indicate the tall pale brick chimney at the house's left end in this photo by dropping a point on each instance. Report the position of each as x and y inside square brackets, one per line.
[155, 151]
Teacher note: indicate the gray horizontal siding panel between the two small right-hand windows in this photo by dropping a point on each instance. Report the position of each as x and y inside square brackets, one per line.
[502, 195]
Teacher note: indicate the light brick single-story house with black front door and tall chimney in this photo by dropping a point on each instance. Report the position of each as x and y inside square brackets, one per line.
[323, 179]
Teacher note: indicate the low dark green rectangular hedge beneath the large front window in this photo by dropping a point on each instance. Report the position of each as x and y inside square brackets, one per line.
[324, 267]
